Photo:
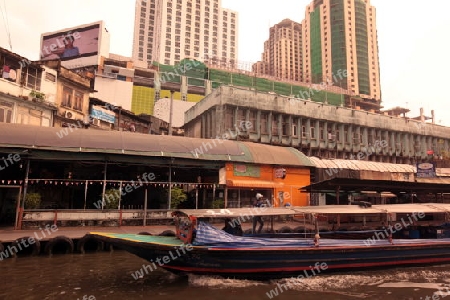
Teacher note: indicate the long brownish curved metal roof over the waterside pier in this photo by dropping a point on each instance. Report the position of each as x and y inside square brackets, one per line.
[76, 140]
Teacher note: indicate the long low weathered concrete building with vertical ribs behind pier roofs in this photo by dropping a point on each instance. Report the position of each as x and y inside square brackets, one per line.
[317, 129]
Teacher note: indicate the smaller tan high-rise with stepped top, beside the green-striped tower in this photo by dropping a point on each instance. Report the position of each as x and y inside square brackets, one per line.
[282, 56]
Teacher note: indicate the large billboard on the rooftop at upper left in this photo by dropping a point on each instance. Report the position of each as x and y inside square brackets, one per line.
[75, 47]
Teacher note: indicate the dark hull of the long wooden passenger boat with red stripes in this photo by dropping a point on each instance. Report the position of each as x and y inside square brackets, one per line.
[279, 262]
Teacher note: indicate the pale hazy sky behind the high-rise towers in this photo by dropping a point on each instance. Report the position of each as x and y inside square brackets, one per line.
[413, 38]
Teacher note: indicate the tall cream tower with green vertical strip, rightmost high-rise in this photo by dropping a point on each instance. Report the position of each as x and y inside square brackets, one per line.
[341, 36]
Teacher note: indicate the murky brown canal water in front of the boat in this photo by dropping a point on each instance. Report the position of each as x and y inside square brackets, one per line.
[107, 275]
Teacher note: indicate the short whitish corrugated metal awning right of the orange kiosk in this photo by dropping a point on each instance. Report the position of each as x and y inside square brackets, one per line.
[361, 165]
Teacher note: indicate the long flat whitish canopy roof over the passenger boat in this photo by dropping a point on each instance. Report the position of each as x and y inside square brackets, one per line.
[323, 209]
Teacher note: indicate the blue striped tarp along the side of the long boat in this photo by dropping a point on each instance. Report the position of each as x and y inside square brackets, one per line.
[208, 235]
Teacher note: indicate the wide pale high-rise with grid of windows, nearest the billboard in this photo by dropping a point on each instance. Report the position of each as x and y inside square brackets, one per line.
[166, 31]
